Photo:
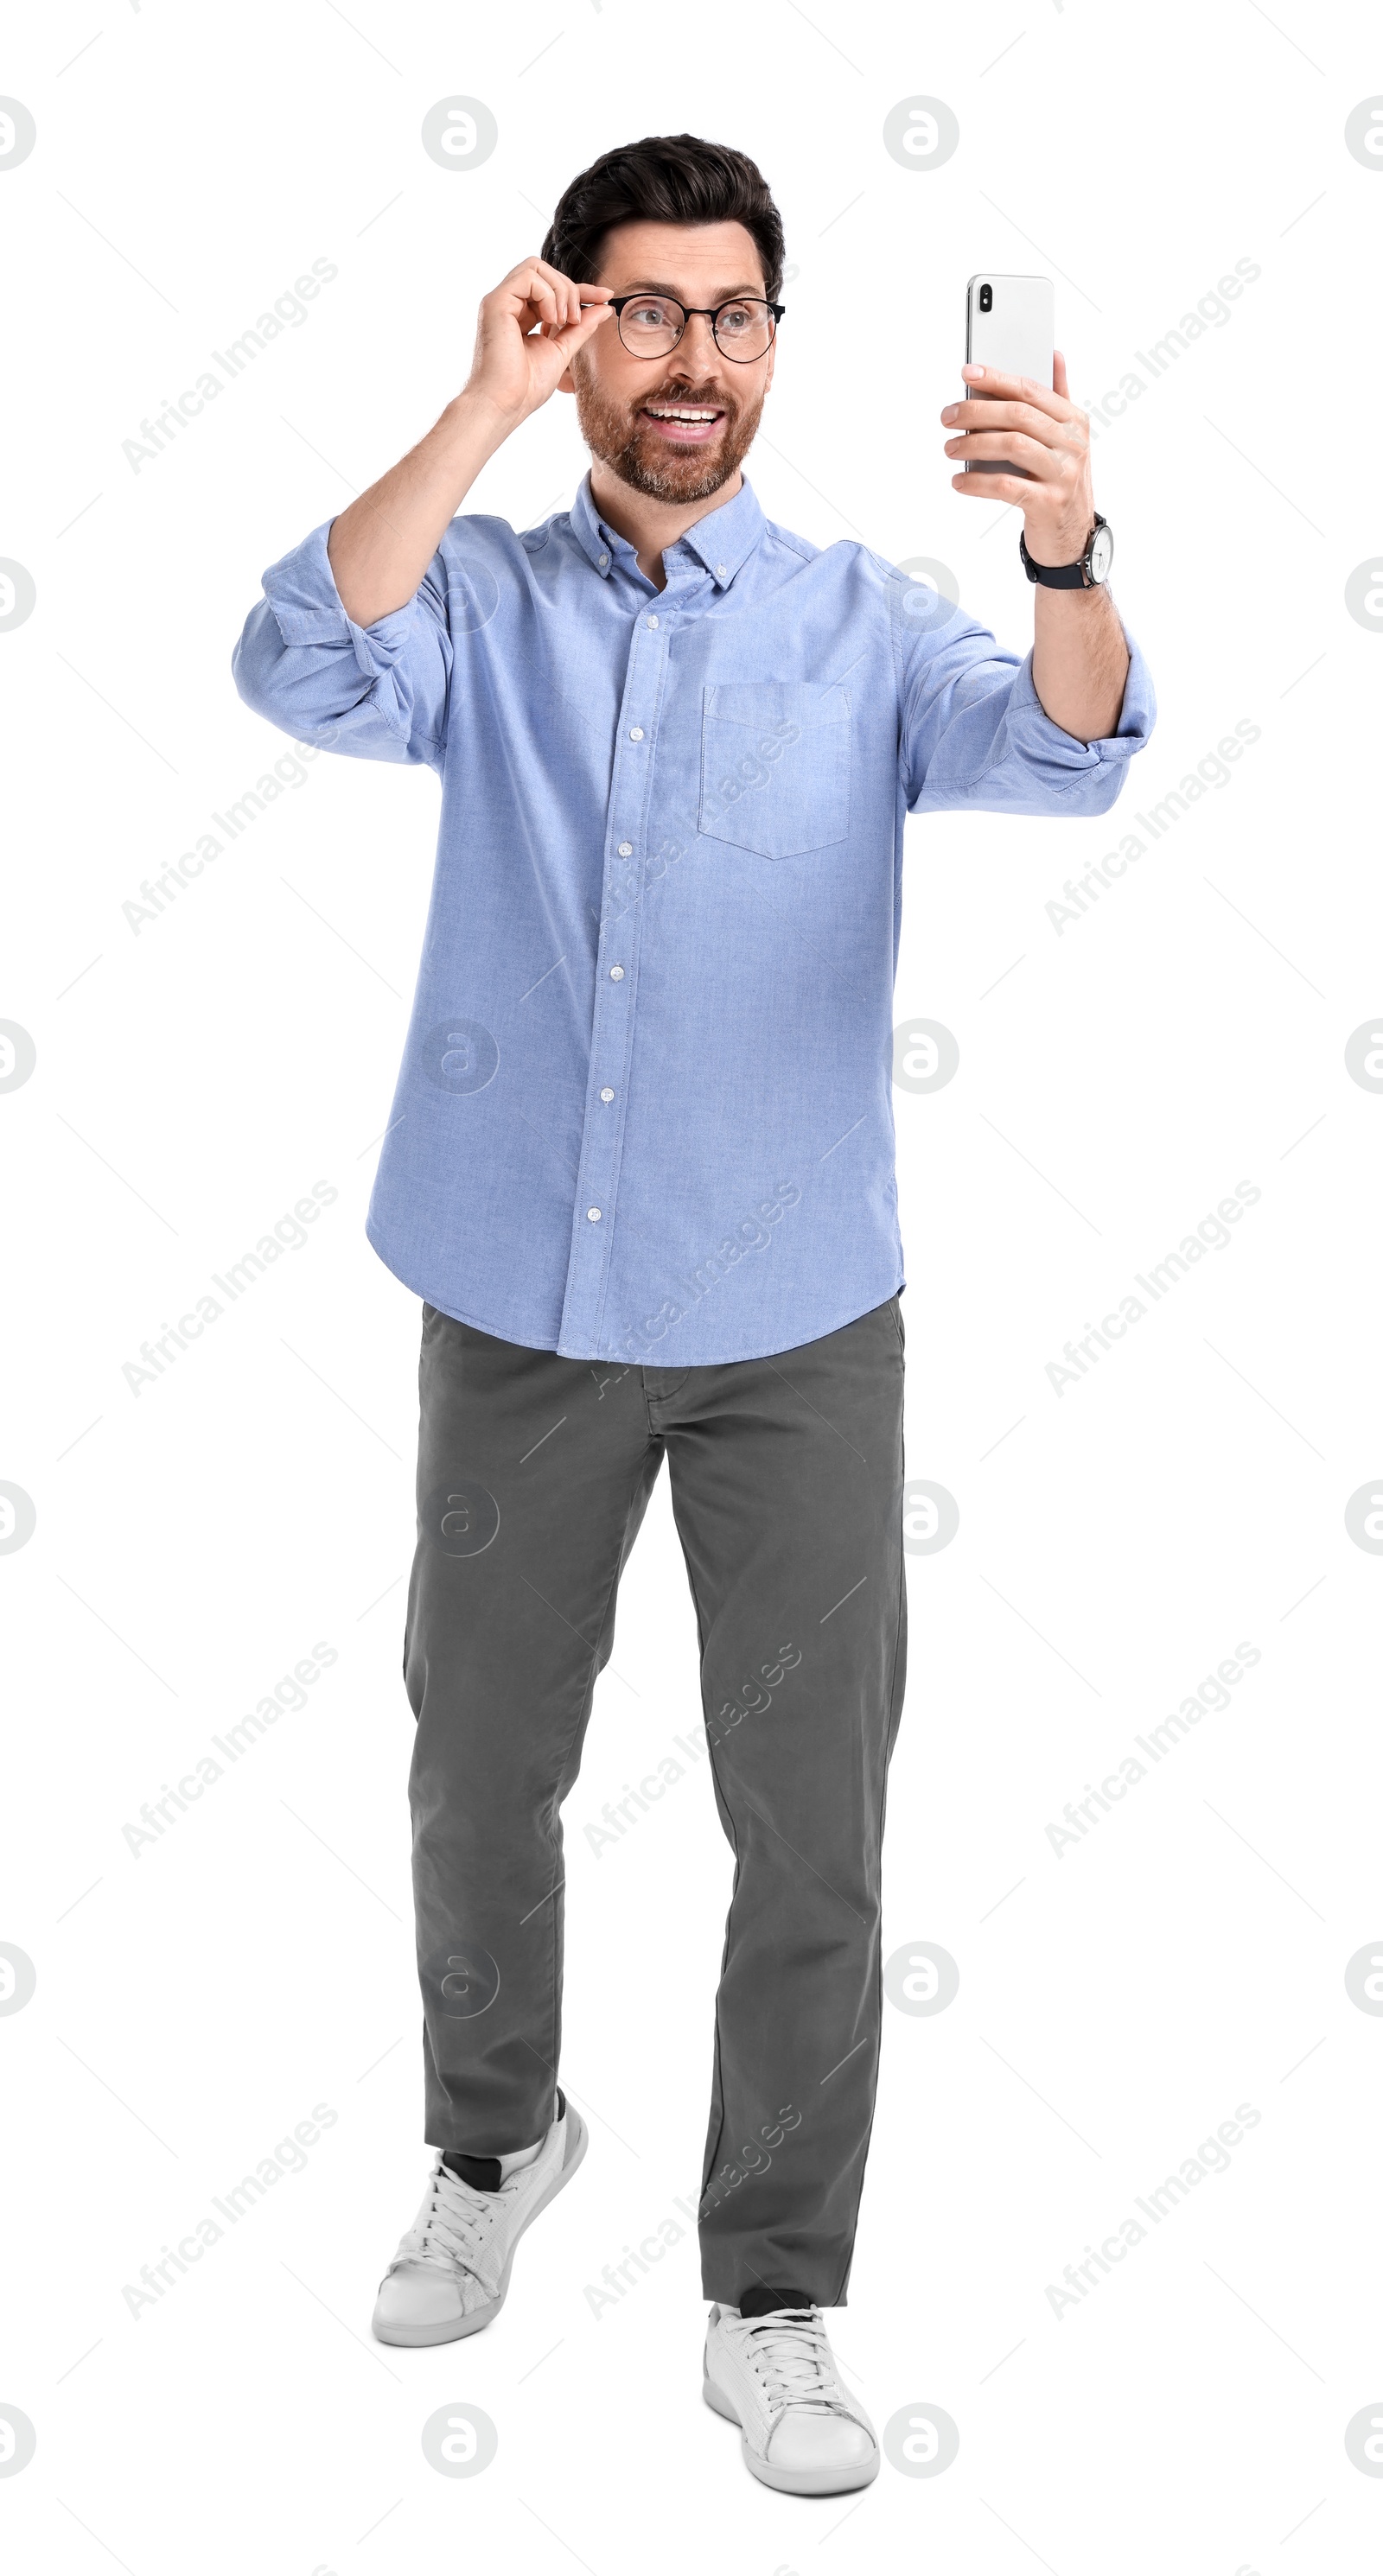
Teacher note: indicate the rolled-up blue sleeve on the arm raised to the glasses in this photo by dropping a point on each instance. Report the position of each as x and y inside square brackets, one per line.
[372, 692]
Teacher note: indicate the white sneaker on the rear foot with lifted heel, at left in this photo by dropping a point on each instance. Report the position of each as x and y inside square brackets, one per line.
[452, 2271]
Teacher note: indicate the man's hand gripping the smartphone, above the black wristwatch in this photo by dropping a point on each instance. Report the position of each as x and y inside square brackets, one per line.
[1031, 426]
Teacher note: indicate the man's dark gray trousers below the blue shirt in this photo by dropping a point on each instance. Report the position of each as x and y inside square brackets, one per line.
[787, 1488]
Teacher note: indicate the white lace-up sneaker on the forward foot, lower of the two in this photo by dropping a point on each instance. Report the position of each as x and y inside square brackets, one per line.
[800, 2428]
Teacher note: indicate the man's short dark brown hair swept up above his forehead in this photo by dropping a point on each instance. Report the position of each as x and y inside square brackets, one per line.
[668, 179]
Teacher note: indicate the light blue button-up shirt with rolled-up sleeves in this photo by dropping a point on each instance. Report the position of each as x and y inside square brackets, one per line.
[645, 1109]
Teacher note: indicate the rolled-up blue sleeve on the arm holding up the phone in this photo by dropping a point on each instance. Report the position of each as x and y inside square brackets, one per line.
[975, 733]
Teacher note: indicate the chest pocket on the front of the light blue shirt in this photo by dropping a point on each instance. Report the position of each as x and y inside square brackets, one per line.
[776, 766]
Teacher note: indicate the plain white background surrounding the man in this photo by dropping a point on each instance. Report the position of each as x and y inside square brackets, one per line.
[1116, 1542]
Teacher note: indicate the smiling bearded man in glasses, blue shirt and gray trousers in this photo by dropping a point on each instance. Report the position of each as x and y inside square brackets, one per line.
[640, 1168]
